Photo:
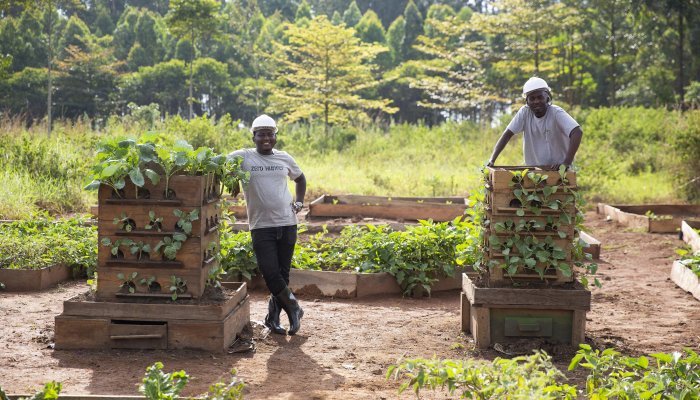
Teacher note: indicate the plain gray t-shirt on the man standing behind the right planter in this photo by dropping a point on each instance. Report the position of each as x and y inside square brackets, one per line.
[546, 139]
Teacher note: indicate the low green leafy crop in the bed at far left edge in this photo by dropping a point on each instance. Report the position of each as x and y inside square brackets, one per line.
[41, 241]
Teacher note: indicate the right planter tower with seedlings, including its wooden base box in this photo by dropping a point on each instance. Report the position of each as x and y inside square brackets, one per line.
[528, 251]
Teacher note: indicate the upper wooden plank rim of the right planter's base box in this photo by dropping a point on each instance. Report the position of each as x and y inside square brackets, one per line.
[574, 299]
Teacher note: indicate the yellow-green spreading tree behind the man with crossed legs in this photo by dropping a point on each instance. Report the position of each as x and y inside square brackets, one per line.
[323, 72]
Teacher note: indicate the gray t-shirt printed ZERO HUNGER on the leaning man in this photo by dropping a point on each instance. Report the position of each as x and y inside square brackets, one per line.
[268, 200]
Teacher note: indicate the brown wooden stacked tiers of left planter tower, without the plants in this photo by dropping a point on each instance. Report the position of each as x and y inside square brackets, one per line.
[195, 258]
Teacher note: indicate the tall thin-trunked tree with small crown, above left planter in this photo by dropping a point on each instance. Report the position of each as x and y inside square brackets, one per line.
[194, 19]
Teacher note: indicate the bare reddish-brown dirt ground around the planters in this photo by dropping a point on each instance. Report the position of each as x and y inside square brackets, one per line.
[345, 346]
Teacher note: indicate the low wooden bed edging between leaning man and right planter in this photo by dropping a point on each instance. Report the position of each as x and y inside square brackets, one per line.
[354, 285]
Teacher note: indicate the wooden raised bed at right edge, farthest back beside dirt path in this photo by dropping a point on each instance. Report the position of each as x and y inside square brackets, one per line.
[654, 218]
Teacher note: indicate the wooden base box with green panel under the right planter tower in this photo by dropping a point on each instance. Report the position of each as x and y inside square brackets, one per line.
[506, 315]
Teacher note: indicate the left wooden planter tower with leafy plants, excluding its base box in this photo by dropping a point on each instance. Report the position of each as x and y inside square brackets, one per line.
[159, 215]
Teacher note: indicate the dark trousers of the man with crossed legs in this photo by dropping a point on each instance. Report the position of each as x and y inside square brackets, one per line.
[274, 248]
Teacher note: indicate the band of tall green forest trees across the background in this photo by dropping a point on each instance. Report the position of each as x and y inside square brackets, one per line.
[339, 61]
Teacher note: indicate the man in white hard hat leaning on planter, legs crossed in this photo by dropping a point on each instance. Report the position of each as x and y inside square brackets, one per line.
[272, 218]
